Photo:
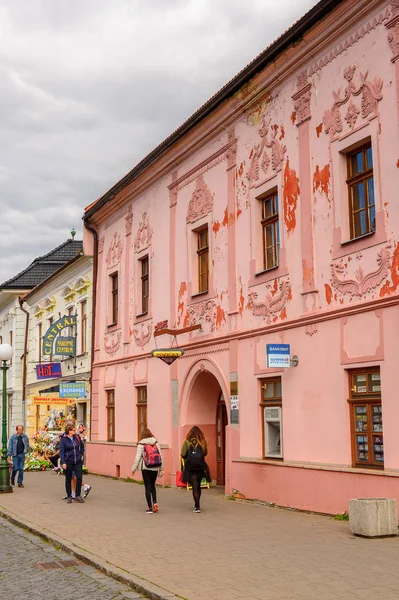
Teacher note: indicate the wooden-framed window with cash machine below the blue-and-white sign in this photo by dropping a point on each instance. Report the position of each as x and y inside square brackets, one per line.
[271, 405]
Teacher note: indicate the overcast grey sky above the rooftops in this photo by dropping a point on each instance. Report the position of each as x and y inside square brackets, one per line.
[89, 87]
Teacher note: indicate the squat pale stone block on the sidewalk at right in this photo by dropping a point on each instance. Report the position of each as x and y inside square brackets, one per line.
[373, 517]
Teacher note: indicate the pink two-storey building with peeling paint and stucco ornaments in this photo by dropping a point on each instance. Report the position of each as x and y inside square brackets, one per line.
[268, 218]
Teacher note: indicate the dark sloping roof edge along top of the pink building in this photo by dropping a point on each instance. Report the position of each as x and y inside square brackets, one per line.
[296, 31]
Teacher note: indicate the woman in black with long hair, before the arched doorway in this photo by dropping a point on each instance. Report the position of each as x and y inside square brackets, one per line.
[193, 452]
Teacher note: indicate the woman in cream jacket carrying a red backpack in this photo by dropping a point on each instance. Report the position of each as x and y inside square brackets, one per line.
[149, 459]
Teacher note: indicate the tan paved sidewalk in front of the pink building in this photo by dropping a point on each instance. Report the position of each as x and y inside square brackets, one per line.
[231, 551]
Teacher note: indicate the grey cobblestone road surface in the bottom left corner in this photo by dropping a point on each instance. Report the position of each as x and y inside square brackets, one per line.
[29, 565]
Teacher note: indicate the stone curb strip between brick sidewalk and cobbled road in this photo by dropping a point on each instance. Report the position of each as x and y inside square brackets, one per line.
[138, 584]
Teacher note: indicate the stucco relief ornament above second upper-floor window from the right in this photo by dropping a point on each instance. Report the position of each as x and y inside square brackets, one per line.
[261, 158]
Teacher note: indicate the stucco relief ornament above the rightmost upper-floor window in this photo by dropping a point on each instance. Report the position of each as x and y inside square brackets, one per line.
[371, 94]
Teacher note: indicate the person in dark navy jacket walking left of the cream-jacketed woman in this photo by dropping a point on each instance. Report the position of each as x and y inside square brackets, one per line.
[71, 452]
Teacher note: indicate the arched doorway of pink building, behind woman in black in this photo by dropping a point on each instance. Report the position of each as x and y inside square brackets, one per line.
[203, 405]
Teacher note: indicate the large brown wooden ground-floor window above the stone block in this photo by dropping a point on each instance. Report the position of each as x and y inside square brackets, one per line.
[366, 418]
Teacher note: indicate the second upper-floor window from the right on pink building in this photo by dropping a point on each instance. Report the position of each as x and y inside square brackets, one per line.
[270, 232]
